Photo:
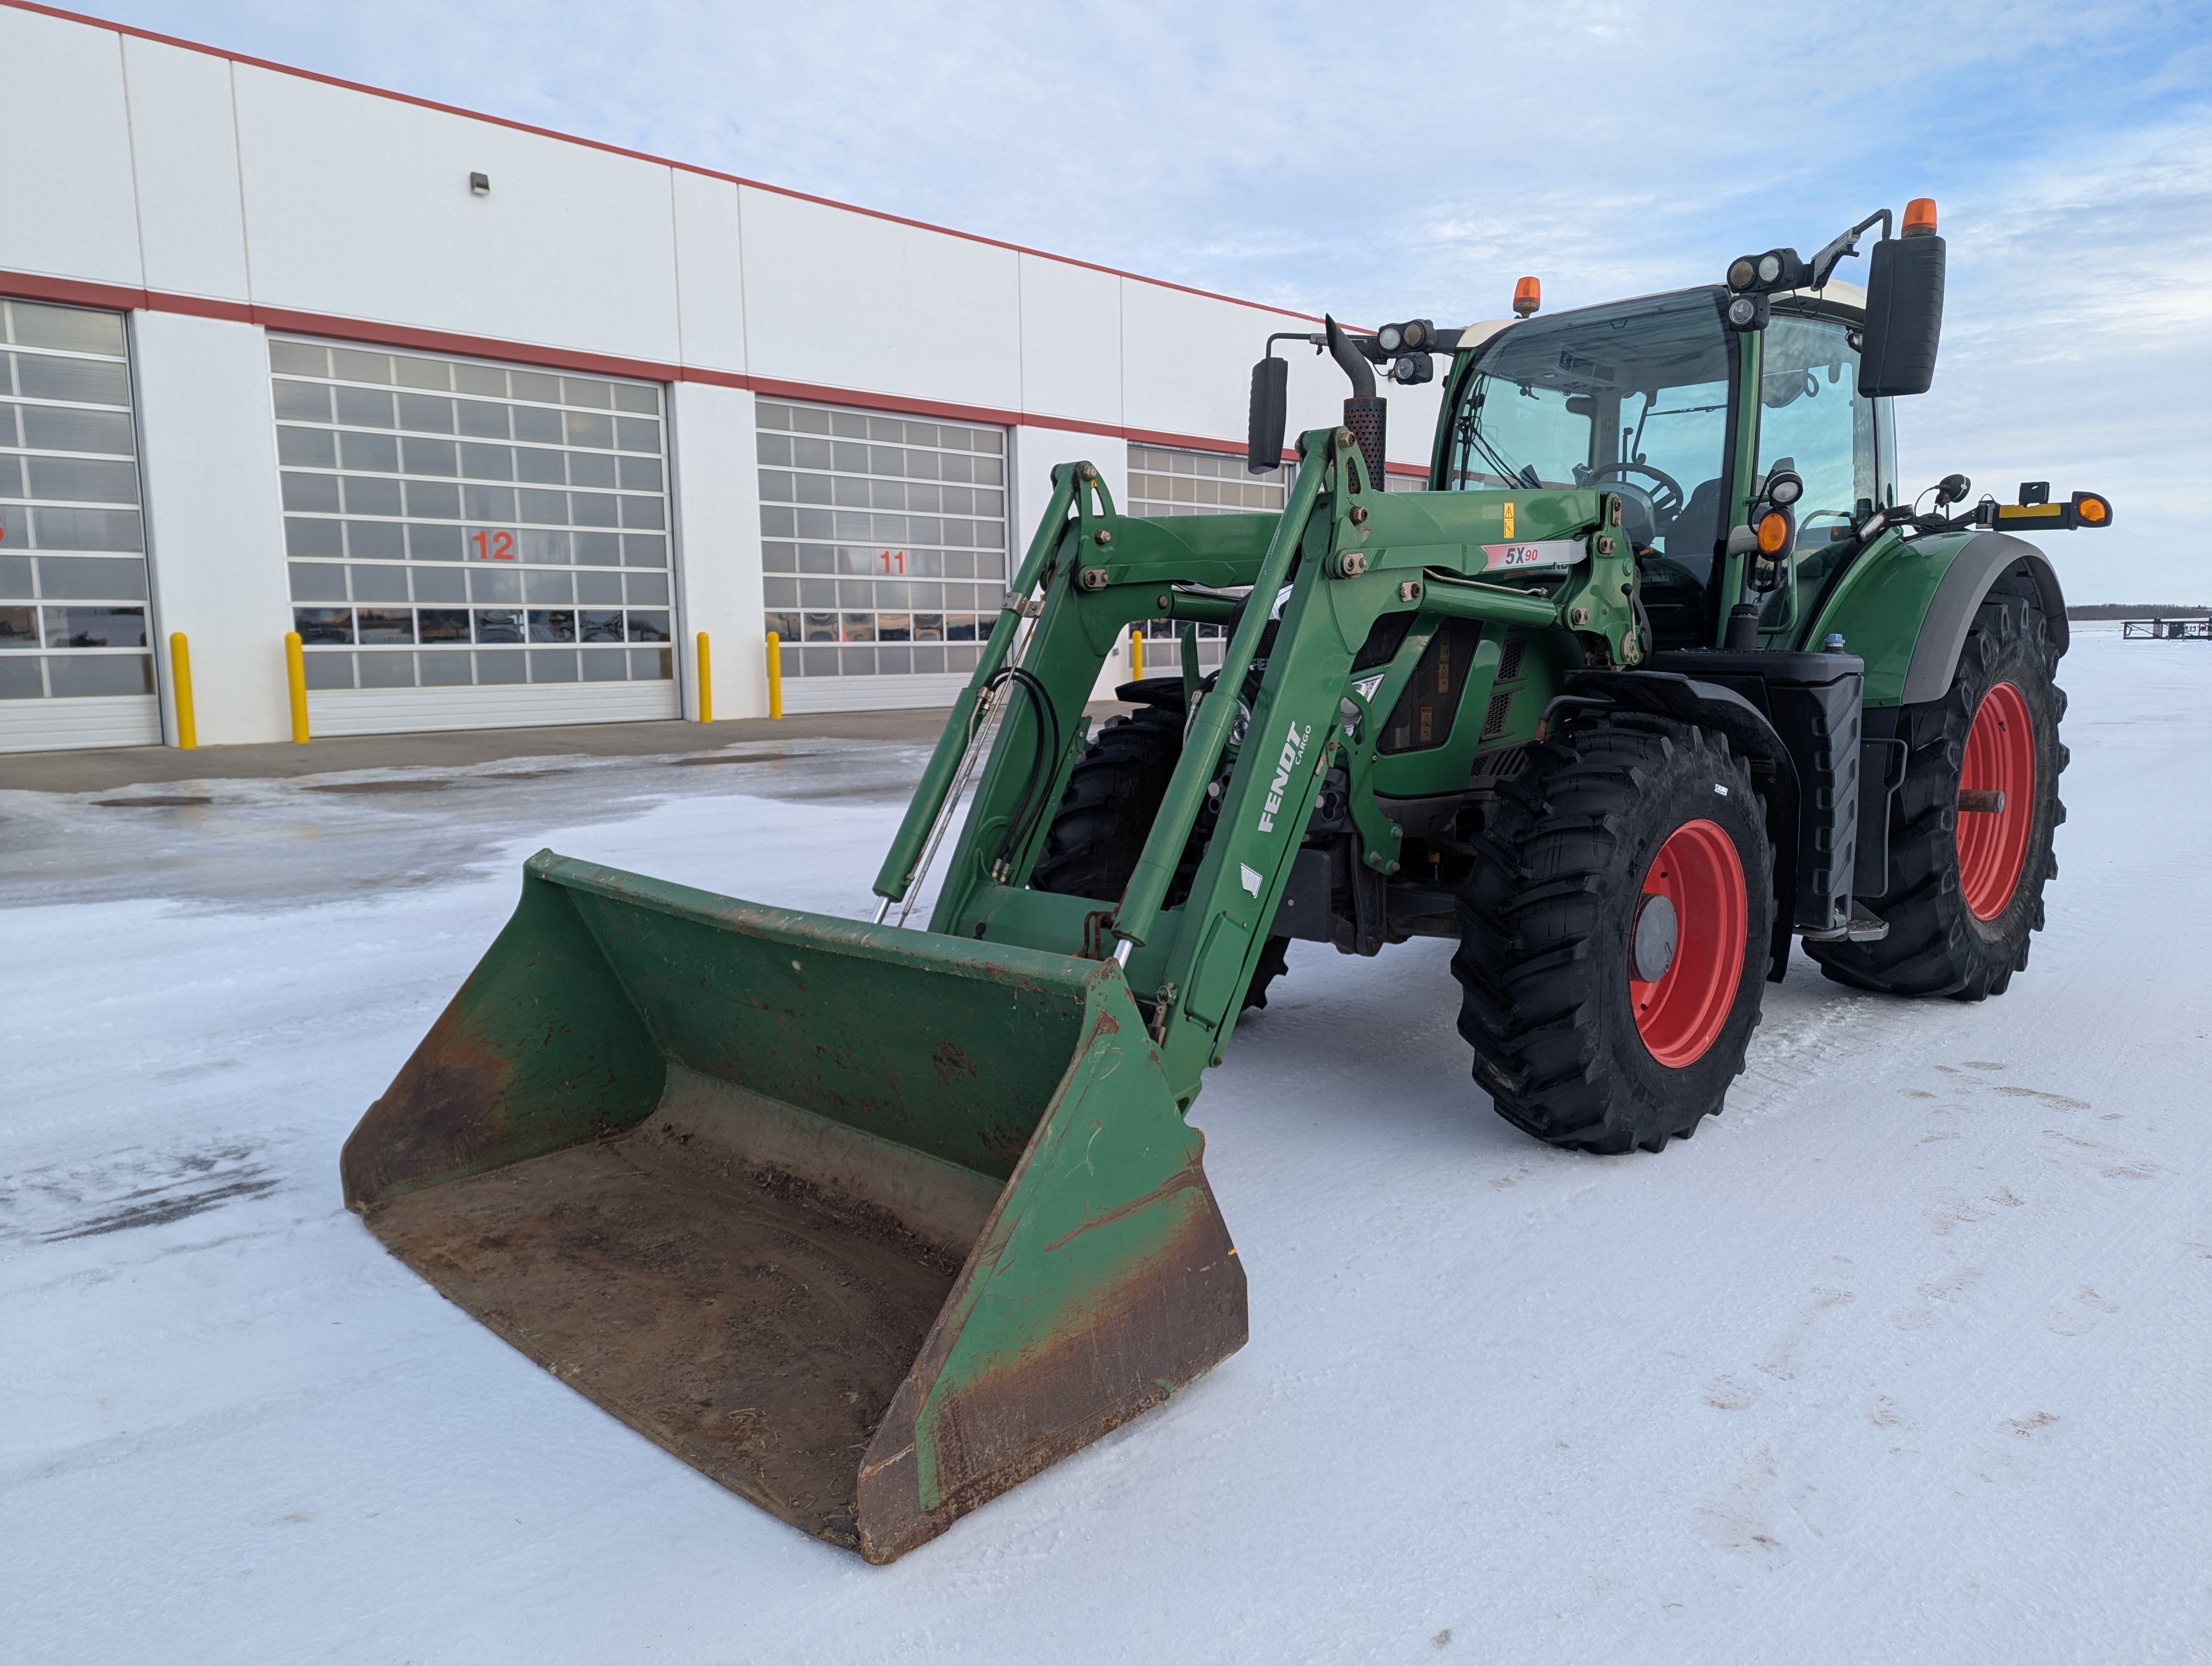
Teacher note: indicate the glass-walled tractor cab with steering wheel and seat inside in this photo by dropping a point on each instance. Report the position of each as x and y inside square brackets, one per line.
[1684, 417]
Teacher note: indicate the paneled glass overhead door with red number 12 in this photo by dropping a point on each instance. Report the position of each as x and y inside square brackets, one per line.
[470, 543]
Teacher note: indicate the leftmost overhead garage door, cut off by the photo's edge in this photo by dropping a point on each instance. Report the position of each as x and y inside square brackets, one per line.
[76, 649]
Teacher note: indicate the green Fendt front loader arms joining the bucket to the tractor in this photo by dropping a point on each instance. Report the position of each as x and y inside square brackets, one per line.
[1337, 559]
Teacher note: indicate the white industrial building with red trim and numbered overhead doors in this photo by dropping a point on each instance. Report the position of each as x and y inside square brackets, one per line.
[499, 421]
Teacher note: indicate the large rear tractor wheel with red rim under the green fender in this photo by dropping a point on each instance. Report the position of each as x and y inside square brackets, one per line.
[1968, 888]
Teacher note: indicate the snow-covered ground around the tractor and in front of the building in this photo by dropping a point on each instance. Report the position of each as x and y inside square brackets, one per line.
[1906, 1357]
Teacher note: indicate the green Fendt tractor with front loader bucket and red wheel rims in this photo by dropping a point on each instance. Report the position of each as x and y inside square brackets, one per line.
[1656, 676]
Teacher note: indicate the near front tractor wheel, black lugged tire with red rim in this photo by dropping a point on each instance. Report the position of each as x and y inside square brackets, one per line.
[1561, 915]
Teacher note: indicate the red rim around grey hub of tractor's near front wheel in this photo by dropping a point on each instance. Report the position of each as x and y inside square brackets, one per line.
[1682, 1012]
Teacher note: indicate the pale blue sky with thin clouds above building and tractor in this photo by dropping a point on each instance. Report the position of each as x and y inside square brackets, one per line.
[1417, 160]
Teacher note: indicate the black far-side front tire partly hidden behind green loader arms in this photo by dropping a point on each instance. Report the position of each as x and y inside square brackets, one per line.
[1107, 813]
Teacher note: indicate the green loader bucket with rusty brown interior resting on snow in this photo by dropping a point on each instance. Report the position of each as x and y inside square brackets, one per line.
[864, 1225]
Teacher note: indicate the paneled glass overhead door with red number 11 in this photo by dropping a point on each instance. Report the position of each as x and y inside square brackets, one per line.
[884, 545]
